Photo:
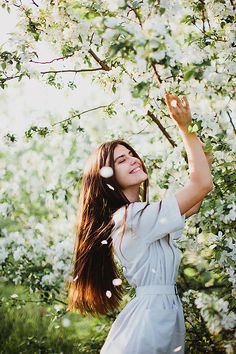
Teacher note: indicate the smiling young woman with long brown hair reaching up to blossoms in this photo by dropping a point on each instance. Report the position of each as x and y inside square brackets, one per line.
[116, 218]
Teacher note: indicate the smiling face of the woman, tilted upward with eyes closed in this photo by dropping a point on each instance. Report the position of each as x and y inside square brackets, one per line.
[128, 169]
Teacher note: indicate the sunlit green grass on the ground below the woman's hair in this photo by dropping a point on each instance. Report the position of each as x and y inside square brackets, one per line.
[33, 328]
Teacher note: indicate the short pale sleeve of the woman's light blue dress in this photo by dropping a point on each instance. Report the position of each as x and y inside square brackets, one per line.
[155, 220]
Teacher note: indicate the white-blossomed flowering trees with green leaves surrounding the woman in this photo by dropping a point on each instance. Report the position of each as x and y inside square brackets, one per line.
[135, 50]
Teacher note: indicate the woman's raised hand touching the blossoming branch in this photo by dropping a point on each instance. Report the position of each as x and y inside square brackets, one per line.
[179, 110]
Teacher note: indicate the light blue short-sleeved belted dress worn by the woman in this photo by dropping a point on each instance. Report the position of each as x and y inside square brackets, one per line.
[153, 321]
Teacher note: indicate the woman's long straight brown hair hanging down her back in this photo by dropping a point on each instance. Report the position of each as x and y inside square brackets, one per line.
[94, 265]
